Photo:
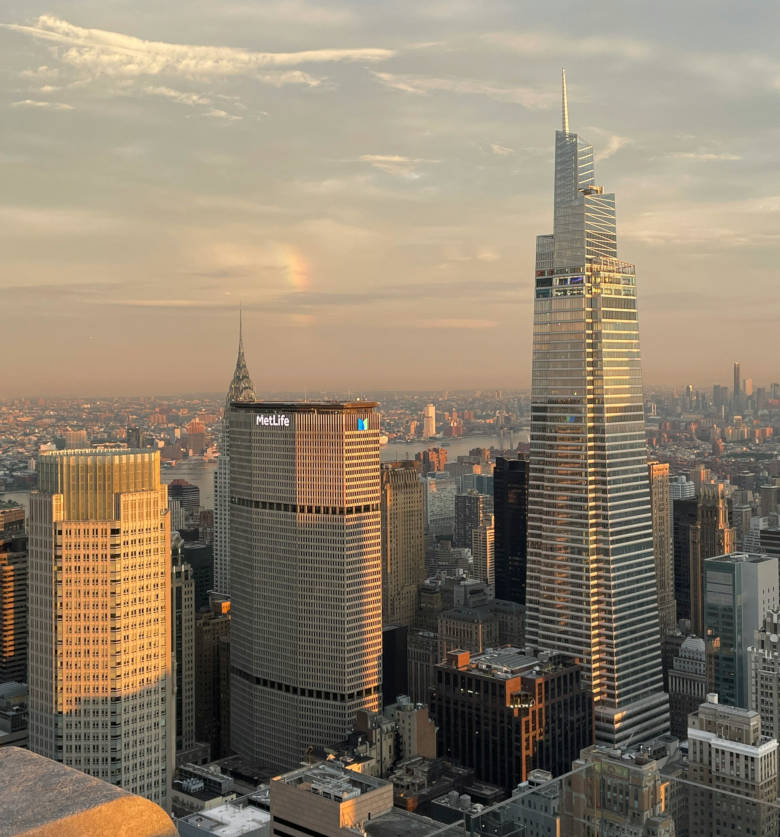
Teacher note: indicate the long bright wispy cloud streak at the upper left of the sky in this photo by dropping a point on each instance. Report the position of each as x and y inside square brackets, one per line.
[99, 52]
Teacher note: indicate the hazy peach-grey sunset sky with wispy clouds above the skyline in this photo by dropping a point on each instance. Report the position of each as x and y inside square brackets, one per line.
[366, 179]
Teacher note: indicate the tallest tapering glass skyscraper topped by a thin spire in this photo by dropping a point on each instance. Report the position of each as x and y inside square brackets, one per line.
[591, 587]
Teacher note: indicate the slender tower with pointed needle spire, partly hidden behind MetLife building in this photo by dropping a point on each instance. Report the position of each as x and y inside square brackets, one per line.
[241, 389]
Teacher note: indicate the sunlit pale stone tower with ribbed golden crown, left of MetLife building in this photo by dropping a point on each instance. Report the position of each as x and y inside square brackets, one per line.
[101, 690]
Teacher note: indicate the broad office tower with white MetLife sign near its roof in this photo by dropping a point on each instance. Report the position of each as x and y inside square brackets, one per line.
[306, 575]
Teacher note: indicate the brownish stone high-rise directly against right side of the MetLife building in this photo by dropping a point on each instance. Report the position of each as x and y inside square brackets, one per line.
[403, 542]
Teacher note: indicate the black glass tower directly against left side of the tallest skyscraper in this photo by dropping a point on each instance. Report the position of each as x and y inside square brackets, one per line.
[510, 509]
